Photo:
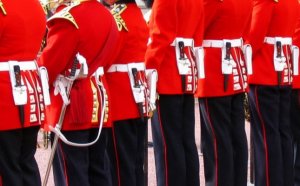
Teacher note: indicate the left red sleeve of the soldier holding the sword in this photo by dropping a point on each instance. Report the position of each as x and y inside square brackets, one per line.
[61, 43]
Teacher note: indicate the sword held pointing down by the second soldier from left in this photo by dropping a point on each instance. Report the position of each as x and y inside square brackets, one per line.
[60, 121]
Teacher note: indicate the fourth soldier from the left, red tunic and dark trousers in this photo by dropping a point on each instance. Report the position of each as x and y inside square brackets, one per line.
[175, 28]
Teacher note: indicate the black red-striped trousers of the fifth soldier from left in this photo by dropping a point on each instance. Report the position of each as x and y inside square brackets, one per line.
[224, 140]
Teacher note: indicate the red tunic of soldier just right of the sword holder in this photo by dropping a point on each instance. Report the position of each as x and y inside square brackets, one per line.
[133, 45]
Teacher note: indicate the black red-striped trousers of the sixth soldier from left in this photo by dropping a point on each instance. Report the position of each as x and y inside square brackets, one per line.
[272, 139]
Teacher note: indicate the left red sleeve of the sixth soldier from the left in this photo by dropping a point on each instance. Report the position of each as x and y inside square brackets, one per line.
[261, 17]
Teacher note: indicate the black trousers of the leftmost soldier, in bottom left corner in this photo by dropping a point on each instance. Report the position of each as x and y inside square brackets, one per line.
[18, 166]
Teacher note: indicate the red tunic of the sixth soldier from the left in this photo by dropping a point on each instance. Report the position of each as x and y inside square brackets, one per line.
[270, 19]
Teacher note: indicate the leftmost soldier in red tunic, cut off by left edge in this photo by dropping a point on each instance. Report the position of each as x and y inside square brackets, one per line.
[22, 104]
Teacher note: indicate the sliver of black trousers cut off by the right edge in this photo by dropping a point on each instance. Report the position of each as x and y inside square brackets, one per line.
[295, 125]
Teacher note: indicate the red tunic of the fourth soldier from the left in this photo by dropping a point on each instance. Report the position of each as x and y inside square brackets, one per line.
[164, 28]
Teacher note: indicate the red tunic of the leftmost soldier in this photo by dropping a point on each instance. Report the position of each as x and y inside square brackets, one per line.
[21, 33]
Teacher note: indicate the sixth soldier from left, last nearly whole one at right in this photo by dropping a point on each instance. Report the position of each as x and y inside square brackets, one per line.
[270, 36]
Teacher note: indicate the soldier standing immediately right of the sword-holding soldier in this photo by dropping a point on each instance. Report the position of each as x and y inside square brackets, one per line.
[128, 87]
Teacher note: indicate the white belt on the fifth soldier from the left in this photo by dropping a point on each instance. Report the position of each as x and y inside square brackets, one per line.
[222, 43]
